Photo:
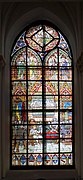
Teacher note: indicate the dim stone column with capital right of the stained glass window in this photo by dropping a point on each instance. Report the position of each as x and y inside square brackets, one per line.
[80, 111]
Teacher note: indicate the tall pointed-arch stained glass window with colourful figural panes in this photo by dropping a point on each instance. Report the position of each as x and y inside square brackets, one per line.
[41, 99]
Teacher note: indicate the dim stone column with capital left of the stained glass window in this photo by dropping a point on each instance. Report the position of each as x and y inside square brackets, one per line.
[2, 63]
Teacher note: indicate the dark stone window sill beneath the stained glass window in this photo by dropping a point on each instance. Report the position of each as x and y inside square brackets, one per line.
[69, 174]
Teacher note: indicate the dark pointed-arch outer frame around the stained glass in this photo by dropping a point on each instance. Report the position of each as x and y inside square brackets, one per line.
[73, 137]
